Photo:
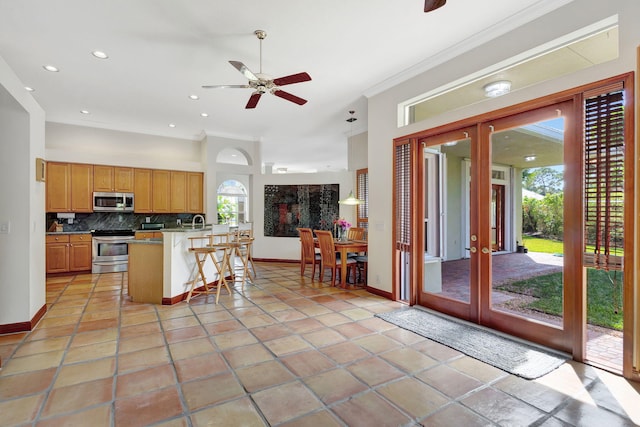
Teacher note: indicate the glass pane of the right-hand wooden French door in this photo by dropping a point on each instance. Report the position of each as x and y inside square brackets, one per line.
[526, 225]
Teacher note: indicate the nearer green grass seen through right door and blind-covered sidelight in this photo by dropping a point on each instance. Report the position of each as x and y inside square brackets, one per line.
[601, 296]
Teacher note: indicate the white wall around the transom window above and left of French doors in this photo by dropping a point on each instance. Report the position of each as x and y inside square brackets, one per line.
[382, 107]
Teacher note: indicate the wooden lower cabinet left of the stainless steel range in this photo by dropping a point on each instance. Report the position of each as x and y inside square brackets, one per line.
[68, 253]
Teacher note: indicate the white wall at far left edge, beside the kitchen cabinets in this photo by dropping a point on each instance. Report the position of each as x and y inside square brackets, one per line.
[22, 250]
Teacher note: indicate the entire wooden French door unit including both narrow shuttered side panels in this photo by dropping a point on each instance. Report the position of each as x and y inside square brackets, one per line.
[492, 211]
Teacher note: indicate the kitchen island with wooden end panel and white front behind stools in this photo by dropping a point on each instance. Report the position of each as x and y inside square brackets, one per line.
[161, 270]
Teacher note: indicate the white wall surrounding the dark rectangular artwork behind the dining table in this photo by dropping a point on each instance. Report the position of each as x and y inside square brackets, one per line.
[288, 248]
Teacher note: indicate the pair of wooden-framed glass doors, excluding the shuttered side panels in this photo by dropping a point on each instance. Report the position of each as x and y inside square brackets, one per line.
[472, 200]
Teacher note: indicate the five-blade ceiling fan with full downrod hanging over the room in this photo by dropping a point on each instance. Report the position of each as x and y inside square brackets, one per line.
[262, 83]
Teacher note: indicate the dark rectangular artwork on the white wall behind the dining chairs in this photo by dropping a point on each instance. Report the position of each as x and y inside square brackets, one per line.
[287, 207]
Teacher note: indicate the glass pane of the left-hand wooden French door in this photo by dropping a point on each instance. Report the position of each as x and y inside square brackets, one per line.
[448, 266]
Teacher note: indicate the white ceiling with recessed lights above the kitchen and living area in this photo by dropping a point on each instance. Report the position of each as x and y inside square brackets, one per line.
[162, 51]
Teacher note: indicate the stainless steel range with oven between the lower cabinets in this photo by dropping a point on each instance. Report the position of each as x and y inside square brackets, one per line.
[110, 250]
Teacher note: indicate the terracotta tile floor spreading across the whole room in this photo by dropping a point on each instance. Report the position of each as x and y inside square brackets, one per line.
[284, 351]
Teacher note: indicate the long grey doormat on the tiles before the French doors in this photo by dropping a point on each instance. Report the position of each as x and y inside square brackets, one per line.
[518, 358]
